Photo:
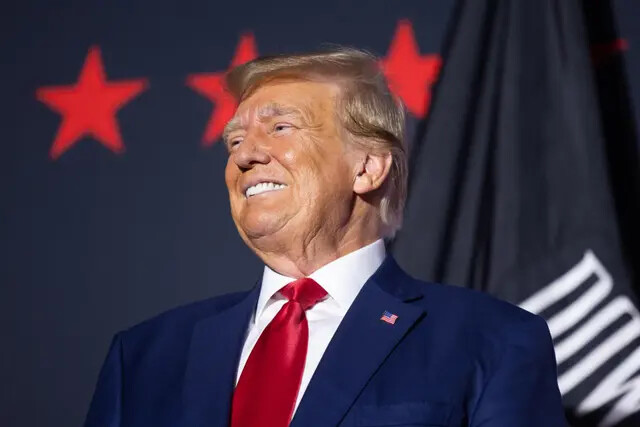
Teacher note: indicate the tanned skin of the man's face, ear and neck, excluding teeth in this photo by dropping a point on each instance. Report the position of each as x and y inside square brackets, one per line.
[287, 132]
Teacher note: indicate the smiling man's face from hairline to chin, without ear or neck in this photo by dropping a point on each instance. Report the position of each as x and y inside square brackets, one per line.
[289, 173]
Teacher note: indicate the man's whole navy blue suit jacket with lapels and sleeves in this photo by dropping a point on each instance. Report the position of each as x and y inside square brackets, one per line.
[453, 357]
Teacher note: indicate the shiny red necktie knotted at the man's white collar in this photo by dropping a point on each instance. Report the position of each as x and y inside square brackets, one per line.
[268, 387]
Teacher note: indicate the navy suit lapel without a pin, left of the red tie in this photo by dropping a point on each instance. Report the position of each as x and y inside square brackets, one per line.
[212, 364]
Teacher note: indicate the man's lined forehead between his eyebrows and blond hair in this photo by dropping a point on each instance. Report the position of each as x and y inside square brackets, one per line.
[308, 98]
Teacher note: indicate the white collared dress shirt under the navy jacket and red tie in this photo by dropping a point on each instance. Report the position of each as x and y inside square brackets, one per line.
[342, 279]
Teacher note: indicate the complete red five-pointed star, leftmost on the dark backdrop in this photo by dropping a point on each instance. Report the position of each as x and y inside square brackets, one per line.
[89, 107]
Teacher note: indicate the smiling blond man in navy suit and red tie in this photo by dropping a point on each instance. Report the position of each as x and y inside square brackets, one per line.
[335, 333]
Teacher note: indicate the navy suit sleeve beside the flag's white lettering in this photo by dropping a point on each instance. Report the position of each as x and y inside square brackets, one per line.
[523, 389]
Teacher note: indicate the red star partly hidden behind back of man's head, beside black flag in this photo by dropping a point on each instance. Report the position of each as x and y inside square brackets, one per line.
[410, 75]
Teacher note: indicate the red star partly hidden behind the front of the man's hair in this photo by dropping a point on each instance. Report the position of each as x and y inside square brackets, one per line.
[212, 86]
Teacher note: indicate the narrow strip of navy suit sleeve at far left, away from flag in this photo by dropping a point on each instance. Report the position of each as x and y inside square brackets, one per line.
[106, 406]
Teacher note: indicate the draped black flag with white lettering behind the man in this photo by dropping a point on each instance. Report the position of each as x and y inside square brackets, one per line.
[510, 193]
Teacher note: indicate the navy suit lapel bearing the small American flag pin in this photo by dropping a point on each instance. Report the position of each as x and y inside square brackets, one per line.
[359, 346]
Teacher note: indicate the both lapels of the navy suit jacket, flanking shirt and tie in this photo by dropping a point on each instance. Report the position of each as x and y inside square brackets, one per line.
[361, 343]
